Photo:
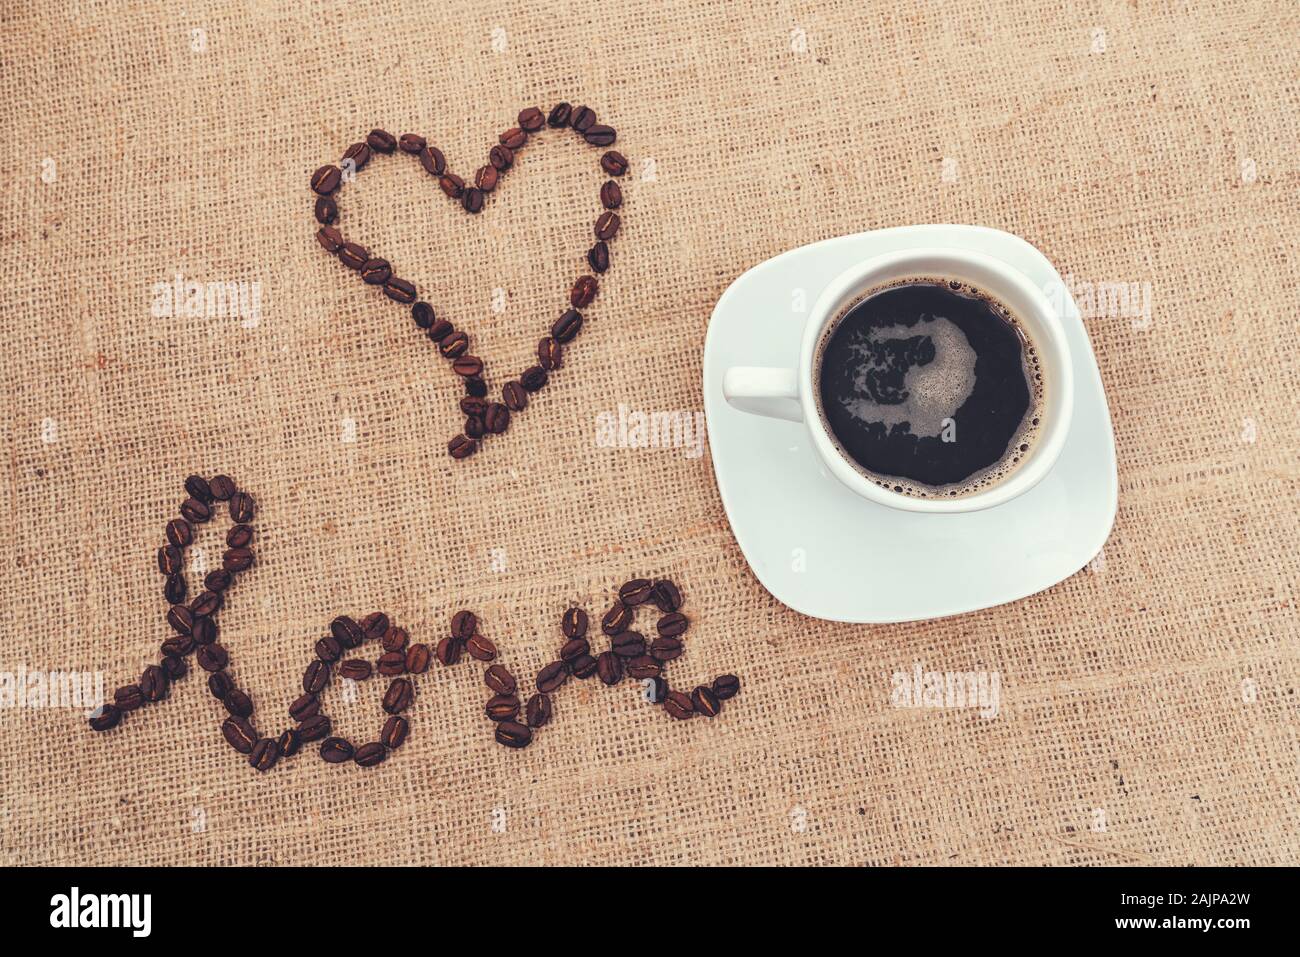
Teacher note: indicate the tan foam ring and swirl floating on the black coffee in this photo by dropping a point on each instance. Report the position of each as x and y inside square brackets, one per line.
[937, 389]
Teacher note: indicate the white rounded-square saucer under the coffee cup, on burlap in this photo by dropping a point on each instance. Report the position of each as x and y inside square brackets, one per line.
[827, 553]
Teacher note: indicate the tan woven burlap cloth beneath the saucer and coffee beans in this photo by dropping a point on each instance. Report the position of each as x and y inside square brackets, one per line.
[1149, 703]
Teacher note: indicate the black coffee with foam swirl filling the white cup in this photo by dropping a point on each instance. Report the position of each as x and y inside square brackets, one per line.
[931, 388]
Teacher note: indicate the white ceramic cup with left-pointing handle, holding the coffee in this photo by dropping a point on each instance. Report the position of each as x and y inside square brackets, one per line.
[790, 393]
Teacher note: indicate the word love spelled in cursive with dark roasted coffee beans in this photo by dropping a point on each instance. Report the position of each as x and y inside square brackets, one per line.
[400, 661]
